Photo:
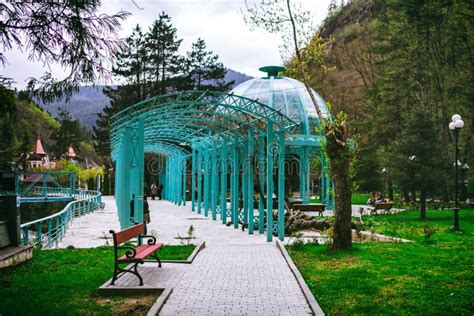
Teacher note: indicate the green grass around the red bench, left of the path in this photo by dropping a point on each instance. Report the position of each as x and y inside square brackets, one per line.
[65, 282]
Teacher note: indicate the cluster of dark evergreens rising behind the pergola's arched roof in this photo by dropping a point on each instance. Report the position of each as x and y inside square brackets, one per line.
[149, 65]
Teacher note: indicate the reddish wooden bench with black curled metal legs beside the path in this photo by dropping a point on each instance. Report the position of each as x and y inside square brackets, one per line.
[134, 254]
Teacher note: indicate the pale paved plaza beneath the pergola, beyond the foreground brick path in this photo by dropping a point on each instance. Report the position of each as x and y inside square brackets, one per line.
[167, 222]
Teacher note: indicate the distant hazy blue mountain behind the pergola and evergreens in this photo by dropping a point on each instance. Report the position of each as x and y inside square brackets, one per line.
[86, 103]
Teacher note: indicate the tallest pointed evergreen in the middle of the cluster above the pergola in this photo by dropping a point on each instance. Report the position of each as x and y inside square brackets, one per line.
[162, 44]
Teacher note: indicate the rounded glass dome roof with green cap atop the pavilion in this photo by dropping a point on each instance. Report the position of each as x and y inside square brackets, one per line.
[286, 95]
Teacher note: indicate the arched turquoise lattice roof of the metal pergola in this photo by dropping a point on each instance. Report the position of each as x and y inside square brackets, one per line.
[173, 122]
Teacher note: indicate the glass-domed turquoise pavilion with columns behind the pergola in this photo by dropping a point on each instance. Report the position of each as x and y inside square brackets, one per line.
[291, 98]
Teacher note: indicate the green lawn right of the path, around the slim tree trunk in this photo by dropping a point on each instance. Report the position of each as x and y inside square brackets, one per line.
[421, 278]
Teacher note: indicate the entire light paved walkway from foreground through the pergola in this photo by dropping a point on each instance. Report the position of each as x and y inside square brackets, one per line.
[236, 274]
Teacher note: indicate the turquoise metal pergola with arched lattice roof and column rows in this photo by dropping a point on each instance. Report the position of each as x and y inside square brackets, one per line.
[228, 150]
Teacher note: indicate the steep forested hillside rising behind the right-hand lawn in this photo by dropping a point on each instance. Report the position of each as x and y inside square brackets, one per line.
[401, 69]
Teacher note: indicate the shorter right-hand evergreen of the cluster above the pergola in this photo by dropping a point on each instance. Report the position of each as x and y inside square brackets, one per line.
[204, 70]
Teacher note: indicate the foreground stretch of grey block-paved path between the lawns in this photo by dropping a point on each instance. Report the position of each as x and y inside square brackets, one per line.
[237, 280]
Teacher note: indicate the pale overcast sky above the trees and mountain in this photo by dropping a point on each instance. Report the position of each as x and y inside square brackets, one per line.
[218, 22]
